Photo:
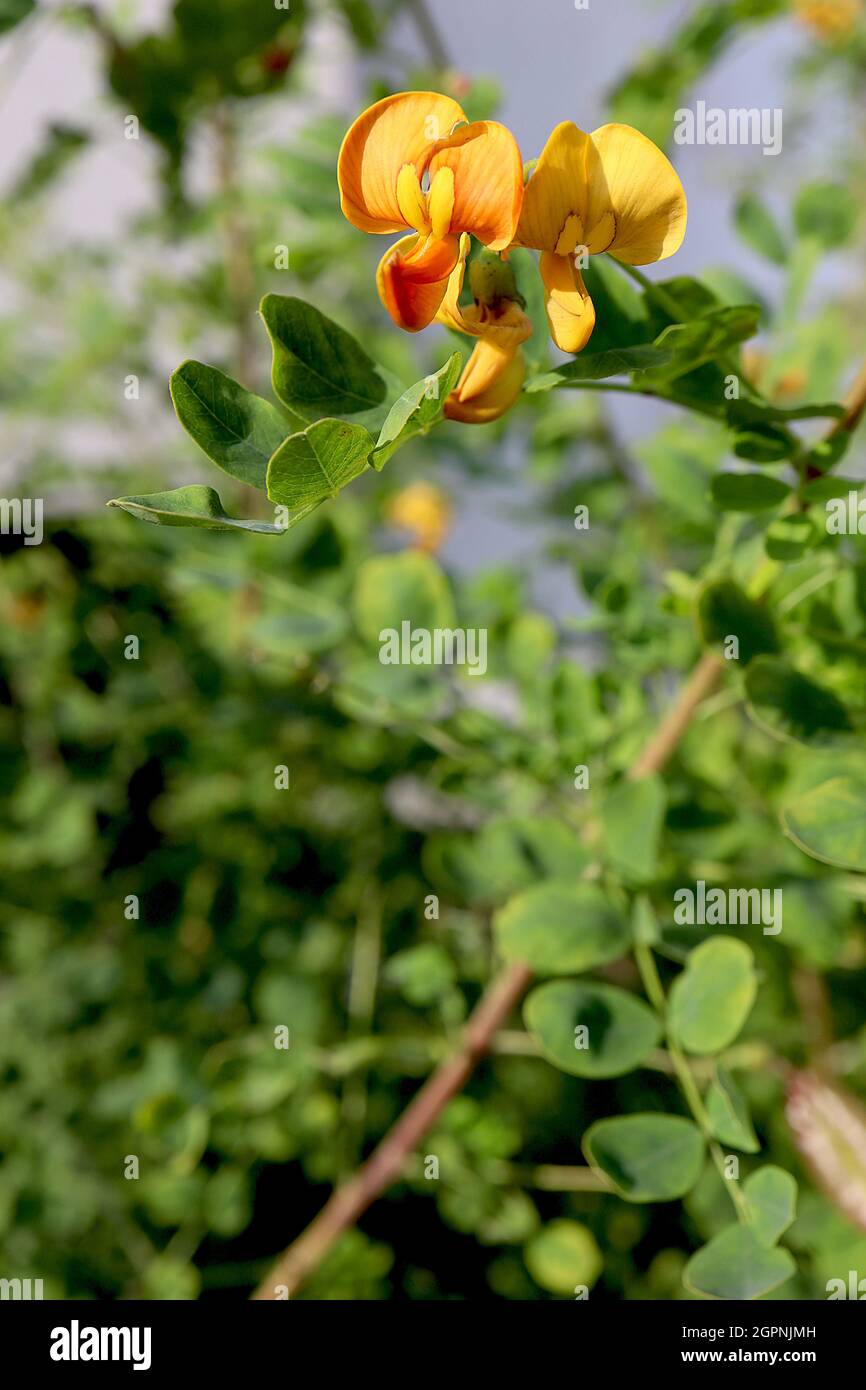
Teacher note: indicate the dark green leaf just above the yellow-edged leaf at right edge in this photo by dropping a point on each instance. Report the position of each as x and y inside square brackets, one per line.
[792, 707]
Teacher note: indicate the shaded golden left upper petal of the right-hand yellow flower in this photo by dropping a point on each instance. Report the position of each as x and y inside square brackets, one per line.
[555, 199]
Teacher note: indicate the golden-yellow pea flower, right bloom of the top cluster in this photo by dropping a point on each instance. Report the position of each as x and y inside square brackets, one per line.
[612, 191]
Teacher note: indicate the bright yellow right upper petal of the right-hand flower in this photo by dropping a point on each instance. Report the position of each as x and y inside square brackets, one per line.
[637, 206]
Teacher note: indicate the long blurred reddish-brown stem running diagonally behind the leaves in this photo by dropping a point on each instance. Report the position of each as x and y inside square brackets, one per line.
[351, 1202]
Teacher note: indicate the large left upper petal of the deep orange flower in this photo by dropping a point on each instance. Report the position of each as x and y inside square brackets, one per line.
[400, 130]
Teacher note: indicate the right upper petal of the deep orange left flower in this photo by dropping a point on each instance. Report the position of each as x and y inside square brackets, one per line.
[489, 181]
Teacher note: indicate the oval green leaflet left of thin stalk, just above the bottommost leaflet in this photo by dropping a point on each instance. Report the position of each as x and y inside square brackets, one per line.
[648, 1159]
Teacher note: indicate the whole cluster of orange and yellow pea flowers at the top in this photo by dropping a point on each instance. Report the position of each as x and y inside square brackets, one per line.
[415, 165]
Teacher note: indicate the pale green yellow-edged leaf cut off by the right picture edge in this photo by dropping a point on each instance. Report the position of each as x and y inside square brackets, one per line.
[829, 822]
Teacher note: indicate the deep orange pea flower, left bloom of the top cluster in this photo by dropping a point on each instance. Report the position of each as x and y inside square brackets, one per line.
[415, 163]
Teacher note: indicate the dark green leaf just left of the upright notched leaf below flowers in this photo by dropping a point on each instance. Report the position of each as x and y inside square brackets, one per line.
[237, 430]
